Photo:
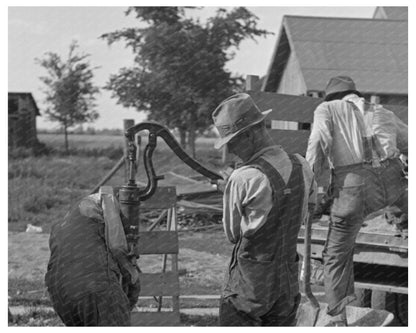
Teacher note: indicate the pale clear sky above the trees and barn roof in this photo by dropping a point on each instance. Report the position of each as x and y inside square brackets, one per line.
[32, 31]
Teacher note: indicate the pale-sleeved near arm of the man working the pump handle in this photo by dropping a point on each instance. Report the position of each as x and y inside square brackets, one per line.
[247, 203]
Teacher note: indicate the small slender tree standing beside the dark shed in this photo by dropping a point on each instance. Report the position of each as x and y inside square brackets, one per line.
[70, 92]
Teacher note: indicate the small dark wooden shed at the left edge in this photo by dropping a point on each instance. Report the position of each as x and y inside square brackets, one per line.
[22, 120]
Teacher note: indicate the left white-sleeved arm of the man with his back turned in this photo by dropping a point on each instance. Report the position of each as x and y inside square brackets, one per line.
[320, 140]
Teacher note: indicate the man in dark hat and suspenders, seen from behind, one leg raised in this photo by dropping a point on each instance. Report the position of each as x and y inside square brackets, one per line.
[362, 143]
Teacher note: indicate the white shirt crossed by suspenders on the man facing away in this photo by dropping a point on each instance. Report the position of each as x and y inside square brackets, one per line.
[339, 127]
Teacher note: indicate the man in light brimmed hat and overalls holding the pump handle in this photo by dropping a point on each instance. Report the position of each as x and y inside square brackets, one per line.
[265, 201]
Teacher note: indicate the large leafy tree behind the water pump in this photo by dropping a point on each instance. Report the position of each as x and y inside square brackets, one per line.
[179, 73]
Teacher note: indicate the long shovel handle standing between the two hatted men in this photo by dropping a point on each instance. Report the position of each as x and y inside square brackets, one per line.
[307, 258]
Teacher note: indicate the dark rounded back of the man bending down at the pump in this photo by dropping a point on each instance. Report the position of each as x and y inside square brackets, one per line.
[79, 262]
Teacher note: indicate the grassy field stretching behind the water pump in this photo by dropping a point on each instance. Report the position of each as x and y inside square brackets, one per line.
[41, 189]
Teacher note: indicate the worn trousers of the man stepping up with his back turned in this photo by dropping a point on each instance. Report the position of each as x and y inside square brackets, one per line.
[358, 191]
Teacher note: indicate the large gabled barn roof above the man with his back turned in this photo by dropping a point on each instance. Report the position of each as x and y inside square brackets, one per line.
[373, 52]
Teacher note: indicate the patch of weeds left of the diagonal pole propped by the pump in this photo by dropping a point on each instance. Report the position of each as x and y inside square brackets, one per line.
[41, 189]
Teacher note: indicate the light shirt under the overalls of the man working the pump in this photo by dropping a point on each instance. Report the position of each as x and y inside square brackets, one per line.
[247, 197]
